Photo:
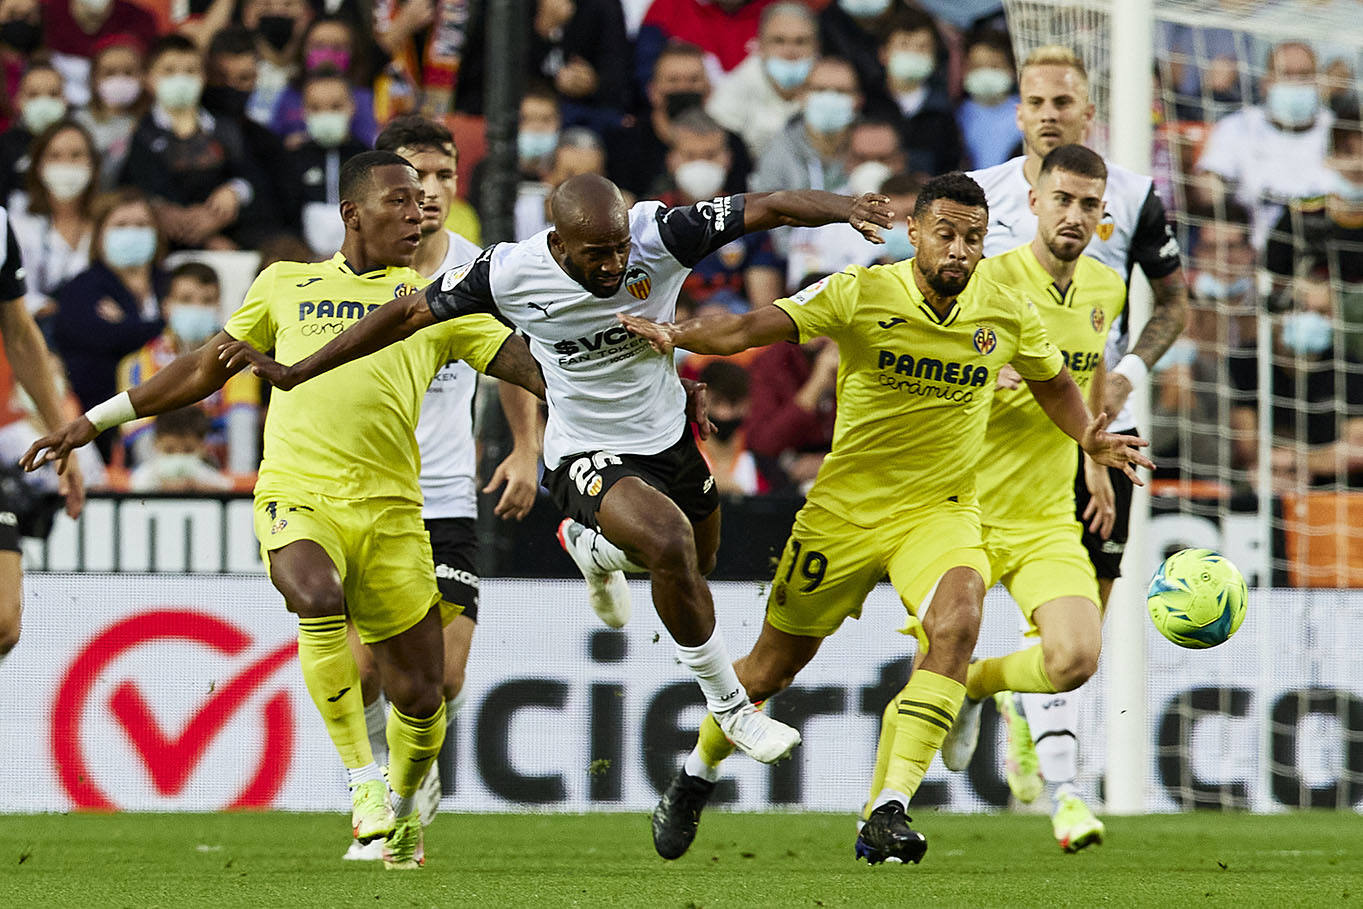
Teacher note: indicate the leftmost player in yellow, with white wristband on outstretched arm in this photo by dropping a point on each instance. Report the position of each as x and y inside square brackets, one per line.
[339, 509]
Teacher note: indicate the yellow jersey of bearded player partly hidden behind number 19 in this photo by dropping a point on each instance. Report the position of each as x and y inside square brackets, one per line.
[1028, 469]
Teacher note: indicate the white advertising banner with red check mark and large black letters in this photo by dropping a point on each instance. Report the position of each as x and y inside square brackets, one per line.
[182, 693]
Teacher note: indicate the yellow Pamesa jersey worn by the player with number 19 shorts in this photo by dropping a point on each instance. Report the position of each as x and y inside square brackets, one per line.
[914, 390]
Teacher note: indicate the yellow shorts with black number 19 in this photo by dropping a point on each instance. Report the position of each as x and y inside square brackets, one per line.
[829, 565]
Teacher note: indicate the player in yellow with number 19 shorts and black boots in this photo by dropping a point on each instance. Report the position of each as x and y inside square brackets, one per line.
[922, 345]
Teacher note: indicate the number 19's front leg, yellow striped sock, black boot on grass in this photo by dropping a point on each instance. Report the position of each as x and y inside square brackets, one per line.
[923, 712]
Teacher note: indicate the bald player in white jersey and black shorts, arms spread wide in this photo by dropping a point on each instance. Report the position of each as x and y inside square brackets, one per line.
[619, 454]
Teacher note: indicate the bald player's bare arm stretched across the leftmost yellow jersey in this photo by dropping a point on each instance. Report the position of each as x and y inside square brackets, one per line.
[395, 321]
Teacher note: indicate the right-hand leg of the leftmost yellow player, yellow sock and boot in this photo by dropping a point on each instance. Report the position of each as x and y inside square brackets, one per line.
[412, 666]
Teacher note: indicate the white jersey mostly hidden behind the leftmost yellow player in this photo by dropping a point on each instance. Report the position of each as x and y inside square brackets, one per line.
[445, 431]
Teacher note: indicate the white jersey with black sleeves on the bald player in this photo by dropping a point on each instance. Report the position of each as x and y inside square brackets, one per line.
[607, 390]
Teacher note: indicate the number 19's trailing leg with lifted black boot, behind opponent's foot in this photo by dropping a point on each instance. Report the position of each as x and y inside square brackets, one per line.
[769, 668]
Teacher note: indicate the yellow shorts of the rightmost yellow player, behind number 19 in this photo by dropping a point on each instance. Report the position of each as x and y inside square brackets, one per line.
[1039, 564]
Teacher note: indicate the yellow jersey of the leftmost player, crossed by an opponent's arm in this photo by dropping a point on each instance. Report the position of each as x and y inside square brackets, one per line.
[350, 433]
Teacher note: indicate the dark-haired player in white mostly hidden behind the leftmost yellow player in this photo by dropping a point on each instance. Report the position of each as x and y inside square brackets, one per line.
[449, 460]
